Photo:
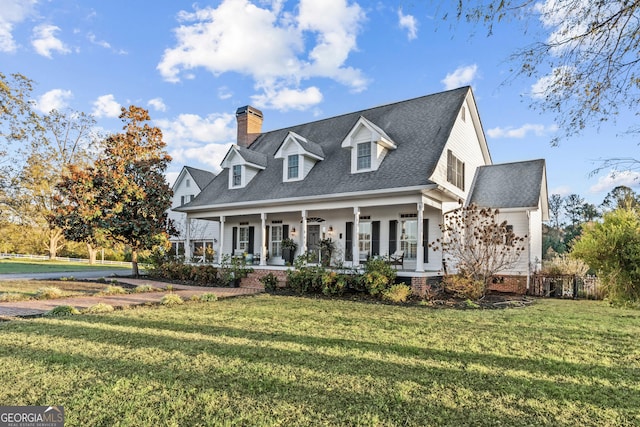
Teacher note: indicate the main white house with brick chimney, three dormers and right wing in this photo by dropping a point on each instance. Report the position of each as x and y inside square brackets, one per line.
[377, 182]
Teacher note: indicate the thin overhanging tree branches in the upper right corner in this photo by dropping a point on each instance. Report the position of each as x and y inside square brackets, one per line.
[586, 59]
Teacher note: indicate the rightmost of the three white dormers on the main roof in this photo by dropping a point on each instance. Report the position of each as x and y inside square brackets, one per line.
[369, 145]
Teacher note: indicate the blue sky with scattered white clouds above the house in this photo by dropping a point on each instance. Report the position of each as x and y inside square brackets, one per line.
[192, 64]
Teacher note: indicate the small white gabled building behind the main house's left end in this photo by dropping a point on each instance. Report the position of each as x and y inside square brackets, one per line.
[202, 234]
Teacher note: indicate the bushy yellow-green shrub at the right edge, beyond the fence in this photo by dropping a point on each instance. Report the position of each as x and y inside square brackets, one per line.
[612, 247]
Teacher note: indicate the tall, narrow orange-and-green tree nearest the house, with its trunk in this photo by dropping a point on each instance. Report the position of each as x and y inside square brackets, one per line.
[130, 183]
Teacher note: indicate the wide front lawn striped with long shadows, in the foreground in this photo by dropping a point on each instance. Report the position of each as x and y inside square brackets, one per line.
[269, 360]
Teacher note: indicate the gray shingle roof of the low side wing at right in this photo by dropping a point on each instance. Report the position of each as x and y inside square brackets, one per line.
[508, 185]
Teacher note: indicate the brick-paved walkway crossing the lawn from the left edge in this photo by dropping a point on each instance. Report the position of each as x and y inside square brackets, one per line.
[39, 307]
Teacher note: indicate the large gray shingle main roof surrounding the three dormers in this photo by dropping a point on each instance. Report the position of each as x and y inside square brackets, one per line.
[420, 127]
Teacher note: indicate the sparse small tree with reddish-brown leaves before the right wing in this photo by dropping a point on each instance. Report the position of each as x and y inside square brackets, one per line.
[475, 244]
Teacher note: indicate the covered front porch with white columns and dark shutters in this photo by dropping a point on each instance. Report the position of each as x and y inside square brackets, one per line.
[395, 228]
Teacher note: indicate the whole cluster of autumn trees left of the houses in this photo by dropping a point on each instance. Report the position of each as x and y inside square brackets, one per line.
[61, 181]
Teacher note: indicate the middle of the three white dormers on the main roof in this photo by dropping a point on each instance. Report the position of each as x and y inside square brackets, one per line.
[299, 155]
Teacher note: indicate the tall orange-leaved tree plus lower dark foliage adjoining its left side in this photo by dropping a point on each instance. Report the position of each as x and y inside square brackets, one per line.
[125, 194]
